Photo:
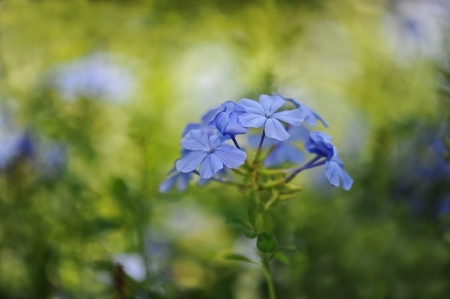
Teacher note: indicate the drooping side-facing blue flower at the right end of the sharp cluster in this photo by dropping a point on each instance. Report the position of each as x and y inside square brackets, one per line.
[319, 143]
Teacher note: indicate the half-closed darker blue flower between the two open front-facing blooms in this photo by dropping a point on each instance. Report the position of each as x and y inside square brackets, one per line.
[226, 120]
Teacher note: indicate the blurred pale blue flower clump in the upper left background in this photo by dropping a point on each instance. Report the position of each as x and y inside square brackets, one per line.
[96, 76]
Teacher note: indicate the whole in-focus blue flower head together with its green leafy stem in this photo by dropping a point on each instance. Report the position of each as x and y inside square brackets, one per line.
[206, 154]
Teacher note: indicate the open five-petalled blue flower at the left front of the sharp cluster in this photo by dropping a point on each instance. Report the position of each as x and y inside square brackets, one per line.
[208, 152]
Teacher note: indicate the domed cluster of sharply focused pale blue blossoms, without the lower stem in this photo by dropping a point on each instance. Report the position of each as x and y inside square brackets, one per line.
[210, 148]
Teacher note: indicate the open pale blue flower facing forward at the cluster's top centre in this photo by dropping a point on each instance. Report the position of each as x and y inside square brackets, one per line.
[264, 114]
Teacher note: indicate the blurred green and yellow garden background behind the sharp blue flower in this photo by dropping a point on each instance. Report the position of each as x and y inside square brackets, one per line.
[94, 96]
